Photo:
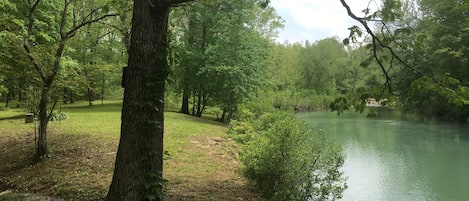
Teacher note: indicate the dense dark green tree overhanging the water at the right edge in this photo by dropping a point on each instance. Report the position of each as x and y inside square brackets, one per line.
[438, 52]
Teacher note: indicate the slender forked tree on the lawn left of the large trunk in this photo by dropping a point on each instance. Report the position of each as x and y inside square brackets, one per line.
[68, 21]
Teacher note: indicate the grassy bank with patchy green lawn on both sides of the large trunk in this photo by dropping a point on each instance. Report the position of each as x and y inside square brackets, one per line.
[202, 163]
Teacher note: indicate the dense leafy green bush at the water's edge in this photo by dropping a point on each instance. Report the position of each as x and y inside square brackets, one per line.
[285, 159]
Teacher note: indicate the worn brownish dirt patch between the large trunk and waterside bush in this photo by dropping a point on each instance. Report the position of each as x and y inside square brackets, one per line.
[221, 182]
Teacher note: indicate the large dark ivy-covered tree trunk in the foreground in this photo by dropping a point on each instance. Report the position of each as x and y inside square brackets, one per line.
[139, 161]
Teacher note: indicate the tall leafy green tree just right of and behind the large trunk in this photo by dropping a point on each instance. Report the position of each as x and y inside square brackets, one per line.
[219, 38]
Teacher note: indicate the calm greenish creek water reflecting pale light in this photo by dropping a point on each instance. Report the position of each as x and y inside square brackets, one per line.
[390, 159]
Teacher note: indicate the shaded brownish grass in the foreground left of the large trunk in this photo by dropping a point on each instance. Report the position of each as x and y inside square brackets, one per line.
[80, 166]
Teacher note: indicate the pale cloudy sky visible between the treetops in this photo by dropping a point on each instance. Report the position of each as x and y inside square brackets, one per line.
[314, 20]
